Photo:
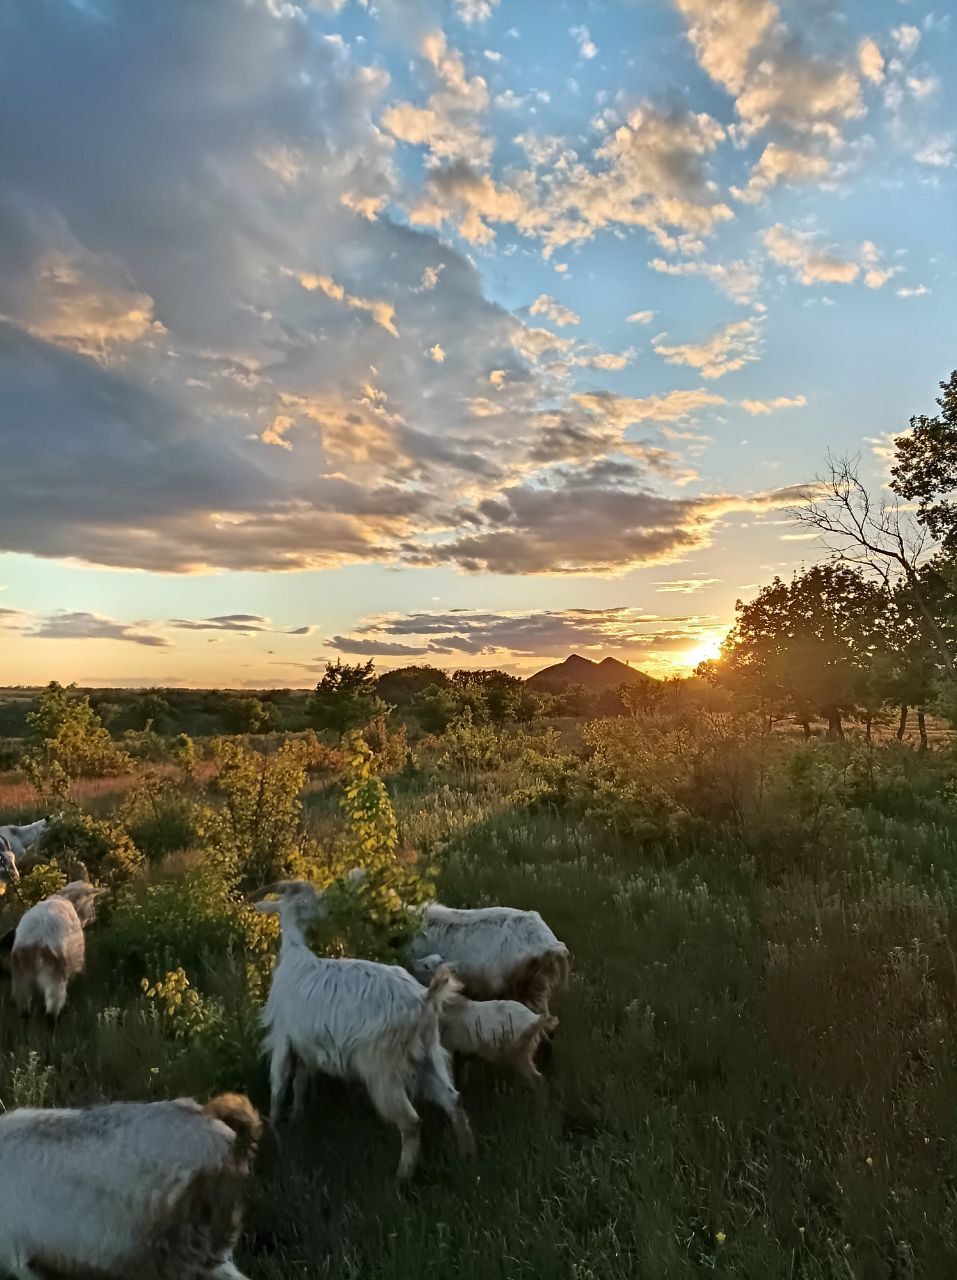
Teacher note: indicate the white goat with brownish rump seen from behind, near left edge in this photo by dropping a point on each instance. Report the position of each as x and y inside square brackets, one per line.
[49, 947]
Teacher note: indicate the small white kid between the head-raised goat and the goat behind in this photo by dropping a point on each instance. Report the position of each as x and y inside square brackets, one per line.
[498, 1031]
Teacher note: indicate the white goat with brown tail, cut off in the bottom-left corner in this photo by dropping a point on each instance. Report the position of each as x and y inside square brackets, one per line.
[146, 1190]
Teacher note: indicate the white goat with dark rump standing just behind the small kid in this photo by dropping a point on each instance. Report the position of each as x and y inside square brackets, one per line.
[496, 953]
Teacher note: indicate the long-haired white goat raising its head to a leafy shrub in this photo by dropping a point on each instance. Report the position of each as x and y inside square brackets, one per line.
[356, 1020]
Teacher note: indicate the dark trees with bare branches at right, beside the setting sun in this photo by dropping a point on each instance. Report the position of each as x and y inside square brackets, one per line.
[874, 627]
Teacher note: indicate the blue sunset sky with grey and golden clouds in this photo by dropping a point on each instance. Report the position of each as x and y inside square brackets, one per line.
[455, 332]
